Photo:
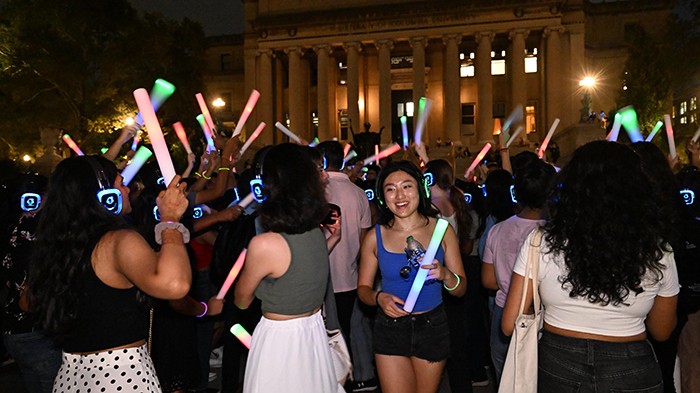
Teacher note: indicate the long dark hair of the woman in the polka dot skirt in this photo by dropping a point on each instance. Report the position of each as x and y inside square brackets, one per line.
[72, 221]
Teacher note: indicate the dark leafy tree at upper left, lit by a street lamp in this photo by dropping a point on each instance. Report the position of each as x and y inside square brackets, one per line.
[74, 64]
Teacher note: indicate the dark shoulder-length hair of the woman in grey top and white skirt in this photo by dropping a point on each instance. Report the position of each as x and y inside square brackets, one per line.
[295, 196]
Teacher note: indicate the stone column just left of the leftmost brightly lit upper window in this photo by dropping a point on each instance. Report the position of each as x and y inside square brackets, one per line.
[452, 88]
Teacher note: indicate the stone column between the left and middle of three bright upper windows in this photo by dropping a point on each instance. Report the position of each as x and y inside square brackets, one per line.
[484, 102]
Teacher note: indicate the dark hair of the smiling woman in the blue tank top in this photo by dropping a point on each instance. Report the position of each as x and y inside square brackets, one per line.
[425, 207]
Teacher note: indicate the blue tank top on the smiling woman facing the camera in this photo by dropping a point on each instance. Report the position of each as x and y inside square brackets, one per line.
[390, 264]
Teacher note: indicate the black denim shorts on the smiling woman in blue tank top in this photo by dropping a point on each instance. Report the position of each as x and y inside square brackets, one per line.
[425, 336]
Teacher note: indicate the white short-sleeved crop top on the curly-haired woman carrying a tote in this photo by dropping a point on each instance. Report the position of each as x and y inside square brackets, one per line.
[578, 314]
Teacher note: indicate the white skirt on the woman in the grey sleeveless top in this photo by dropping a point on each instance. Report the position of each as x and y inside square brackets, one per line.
[290, 356]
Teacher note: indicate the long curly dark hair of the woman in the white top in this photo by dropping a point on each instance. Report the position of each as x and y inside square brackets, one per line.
[605, 224]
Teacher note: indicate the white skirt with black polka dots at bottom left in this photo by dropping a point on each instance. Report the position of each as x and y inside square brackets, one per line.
[122, 370]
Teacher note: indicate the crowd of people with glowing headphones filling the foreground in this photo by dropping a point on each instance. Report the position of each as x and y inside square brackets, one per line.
[111, 287]
